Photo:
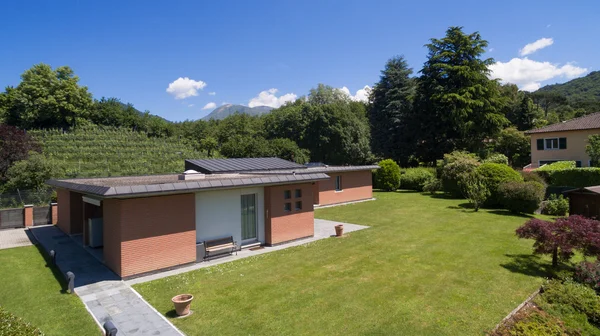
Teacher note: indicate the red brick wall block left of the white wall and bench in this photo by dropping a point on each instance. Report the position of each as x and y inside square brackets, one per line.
[154, 233]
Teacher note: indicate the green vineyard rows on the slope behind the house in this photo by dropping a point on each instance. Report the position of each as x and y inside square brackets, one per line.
[109, 151]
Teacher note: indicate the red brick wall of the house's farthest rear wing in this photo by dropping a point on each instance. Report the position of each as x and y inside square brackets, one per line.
[355, 186]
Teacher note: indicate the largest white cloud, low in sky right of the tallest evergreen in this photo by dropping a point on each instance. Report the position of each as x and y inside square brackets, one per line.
[528, 74]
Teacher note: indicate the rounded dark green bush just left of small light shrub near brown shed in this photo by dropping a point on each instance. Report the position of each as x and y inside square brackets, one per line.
[521, 197]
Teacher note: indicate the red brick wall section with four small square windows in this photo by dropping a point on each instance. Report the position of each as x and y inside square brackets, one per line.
[282, 226]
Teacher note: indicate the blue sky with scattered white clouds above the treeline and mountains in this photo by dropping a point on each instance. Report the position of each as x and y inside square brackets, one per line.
[134, 50]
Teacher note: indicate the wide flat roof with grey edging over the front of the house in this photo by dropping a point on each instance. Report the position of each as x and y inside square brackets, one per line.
[131, 186]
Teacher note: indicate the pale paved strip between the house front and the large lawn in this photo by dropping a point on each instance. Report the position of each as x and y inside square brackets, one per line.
[323, 229]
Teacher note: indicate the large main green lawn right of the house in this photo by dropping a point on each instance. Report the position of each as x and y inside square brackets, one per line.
[427, 266]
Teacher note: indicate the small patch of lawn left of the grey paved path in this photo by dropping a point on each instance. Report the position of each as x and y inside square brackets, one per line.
[29, 290]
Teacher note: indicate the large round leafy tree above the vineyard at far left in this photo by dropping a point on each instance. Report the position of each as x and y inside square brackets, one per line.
[46, 98]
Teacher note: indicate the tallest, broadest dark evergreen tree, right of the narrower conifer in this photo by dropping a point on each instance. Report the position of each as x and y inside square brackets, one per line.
[459, 105]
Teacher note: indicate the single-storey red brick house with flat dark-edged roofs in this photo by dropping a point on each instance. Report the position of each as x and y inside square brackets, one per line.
[149, 223]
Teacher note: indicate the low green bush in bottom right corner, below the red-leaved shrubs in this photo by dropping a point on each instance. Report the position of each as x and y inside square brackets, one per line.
[580, 297]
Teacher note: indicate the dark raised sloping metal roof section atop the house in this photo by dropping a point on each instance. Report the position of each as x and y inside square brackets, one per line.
[211, 166]
